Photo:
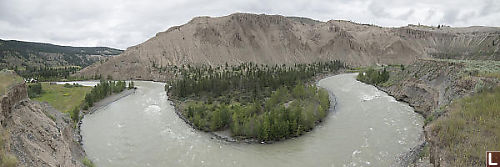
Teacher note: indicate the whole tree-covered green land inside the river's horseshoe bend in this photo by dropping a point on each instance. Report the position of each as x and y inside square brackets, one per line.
[253, 102]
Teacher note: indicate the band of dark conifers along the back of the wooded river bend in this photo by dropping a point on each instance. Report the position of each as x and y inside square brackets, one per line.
[246, 77]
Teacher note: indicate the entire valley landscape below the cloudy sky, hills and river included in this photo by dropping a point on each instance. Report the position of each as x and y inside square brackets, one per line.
[256, 90]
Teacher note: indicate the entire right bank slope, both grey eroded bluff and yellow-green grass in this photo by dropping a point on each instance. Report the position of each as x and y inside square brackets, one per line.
[457, 100]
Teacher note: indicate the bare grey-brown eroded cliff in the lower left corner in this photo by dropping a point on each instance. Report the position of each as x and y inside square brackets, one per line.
[39, 135]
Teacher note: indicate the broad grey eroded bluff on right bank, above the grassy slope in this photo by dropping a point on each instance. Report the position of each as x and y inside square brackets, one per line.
[428, 85]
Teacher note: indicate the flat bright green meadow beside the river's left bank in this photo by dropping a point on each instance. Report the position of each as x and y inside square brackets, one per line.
[62, 98]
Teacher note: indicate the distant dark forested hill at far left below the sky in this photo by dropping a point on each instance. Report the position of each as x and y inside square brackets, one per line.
[22, 55]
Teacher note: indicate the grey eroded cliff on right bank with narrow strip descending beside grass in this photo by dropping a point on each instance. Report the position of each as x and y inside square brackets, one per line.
[430, 86]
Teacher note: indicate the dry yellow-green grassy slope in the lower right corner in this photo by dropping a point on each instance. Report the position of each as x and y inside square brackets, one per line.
[471, 127]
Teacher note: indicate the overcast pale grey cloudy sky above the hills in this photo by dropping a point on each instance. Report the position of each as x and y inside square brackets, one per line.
[124, 23]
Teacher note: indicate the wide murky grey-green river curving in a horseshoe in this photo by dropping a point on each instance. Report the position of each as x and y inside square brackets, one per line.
[367, 128]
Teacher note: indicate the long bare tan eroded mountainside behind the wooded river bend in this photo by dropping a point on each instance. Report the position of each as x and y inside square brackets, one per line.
[274, 39]
